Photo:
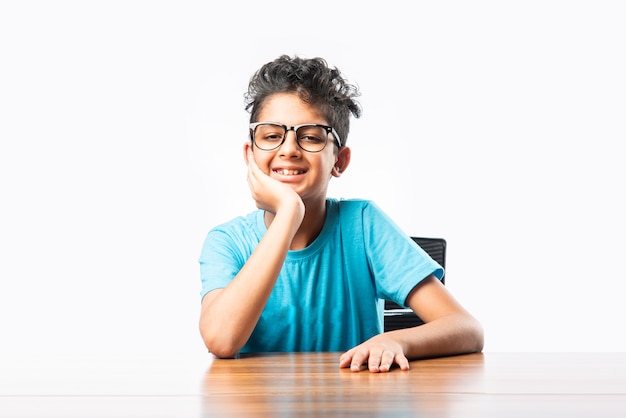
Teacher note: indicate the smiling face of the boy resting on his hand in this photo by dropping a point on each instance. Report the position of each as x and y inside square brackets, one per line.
[306, 172]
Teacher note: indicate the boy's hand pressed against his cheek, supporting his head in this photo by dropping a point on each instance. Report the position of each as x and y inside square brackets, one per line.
[268, 193]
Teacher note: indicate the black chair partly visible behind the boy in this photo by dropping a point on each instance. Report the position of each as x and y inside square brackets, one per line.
[397, 317]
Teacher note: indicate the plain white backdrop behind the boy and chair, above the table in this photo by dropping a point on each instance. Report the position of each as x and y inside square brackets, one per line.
[496, 125]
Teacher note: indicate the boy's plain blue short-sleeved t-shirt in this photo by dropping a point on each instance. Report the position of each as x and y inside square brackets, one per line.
[330, 295]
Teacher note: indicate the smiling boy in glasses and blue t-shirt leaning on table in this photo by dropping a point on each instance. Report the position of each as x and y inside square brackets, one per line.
[306, 272]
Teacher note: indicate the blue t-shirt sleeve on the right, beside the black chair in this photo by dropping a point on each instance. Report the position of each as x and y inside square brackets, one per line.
[398, 264]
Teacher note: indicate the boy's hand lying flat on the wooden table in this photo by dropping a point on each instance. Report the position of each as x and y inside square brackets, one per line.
[378, 354]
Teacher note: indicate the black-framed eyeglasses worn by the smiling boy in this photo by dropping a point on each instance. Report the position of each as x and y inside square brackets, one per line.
[311, 137]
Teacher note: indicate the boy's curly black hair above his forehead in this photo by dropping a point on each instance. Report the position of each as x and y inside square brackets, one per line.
[314, 82]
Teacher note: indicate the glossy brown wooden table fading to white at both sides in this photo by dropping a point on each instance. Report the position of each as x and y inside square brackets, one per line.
[311, 385]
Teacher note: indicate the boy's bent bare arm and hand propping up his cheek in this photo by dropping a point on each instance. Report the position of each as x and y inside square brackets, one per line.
[228, 316]
